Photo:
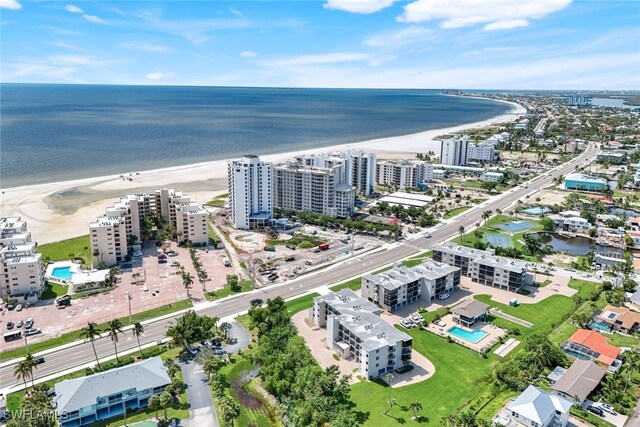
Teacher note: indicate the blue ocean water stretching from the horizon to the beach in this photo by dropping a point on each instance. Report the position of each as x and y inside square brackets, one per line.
[54, 132]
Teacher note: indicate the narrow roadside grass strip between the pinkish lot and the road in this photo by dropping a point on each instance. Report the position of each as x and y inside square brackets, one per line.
[75, 335]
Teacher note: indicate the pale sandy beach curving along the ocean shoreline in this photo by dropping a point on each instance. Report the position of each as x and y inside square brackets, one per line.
[62, 210]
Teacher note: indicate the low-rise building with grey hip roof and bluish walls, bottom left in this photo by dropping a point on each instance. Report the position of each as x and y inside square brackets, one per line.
[100, 396]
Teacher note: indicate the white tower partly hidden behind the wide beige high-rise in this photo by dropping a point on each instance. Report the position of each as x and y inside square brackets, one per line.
[359, 168]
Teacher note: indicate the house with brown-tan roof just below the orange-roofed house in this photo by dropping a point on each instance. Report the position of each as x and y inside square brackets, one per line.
[577, 383]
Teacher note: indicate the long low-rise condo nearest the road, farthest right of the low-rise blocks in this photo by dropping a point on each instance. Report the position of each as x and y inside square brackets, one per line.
[484, 267]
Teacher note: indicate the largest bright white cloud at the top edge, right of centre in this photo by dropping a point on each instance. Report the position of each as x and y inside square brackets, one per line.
[496, 14]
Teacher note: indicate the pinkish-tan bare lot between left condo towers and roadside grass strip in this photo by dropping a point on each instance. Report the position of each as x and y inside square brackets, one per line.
[164, 286]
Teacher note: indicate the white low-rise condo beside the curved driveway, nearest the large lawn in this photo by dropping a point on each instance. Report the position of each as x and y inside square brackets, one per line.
[355, 331]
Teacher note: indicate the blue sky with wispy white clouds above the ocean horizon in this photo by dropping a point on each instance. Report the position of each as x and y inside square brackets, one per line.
[502, 44]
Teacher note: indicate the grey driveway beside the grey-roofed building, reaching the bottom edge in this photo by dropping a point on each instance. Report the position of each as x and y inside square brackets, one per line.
[201, 411]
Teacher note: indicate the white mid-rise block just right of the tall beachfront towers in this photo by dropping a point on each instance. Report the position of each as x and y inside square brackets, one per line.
[403, 173]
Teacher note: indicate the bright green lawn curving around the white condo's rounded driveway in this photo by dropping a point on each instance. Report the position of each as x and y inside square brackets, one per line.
[461, 374]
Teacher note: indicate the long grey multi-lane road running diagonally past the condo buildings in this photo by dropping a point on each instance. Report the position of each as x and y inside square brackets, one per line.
[68, 358]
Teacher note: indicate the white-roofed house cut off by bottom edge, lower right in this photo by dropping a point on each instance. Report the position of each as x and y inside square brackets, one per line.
[537, 408]
